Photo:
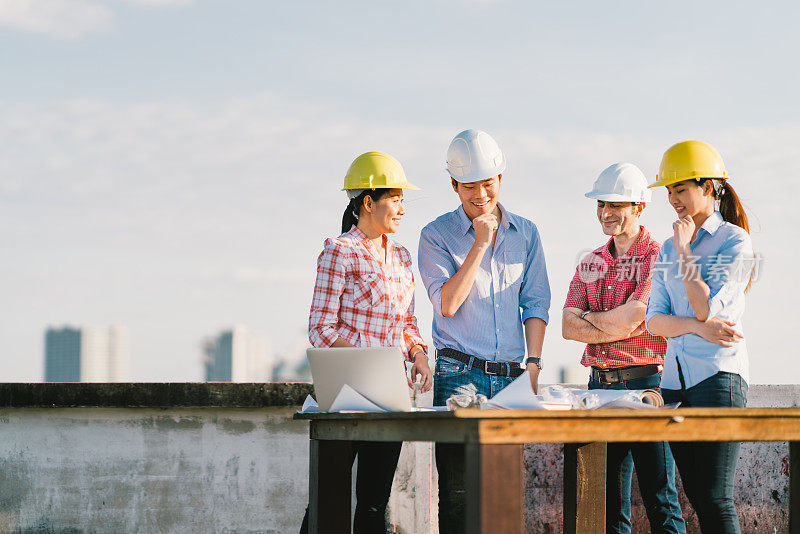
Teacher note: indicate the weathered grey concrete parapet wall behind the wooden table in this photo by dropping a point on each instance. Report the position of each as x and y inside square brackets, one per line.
[237, 462]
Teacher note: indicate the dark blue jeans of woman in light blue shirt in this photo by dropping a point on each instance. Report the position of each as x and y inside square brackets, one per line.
[708, 469]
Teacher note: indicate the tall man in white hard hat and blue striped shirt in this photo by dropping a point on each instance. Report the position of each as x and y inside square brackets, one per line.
[484, 271]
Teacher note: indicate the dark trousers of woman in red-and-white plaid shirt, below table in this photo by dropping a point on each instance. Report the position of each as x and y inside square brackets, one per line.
[377, 462]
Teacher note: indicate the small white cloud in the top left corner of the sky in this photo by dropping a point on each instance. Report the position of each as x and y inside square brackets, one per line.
[67, 19]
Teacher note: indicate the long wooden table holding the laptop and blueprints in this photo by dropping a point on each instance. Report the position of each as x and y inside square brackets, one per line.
[493, 442]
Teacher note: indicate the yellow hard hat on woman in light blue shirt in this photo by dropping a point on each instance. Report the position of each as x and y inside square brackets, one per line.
[690, 160]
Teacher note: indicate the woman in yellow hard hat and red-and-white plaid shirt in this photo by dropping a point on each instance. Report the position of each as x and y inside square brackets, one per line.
[364, 297]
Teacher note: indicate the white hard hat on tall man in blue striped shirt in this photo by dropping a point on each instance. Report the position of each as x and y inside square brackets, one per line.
[473, 155]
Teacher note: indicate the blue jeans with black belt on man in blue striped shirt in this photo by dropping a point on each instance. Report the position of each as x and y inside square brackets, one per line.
[454, 377]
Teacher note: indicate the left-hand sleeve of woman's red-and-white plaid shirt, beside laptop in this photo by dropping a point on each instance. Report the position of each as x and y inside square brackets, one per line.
[328, 289]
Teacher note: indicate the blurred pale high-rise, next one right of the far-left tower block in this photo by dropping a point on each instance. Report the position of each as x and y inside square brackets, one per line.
[237, 355]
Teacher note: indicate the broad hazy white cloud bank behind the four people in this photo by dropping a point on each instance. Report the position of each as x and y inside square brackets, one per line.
[175, 216]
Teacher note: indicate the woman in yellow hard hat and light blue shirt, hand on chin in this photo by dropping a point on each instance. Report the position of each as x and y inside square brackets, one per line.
[697, 302]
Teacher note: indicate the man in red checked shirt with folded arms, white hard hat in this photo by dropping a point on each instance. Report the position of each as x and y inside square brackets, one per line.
[605, 309]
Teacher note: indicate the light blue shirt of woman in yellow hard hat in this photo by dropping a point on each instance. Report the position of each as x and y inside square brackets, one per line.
[725, 255]
